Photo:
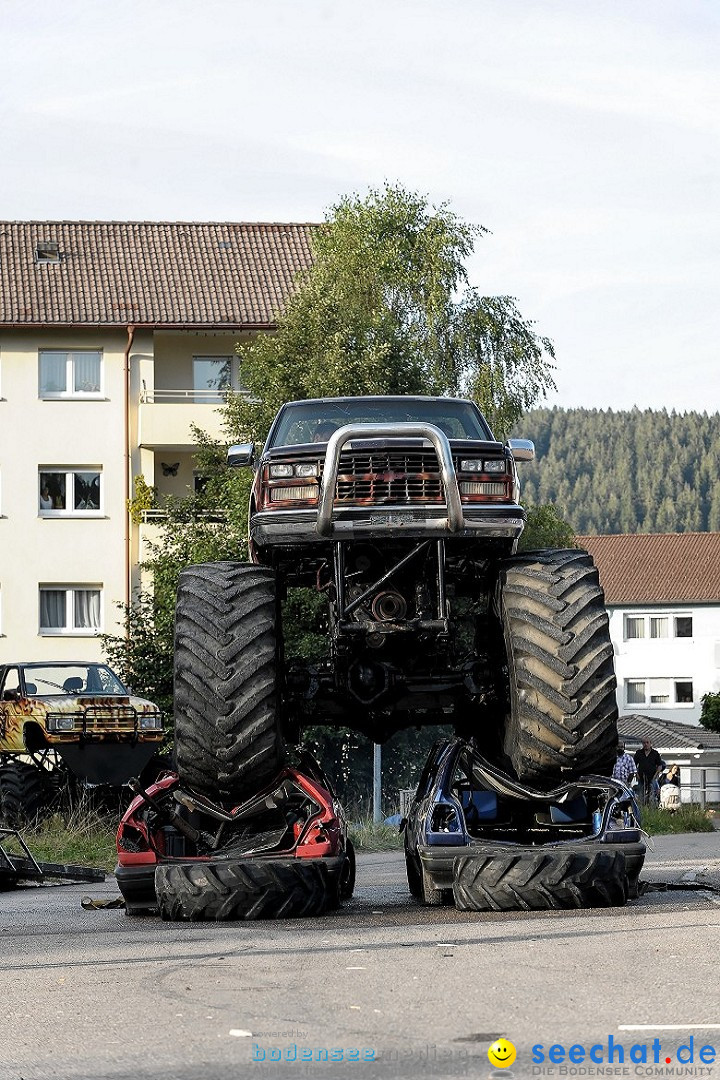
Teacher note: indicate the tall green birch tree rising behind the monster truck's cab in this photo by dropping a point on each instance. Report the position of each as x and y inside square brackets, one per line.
[387, 308]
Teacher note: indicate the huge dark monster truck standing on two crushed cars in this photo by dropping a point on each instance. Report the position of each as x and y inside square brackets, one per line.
[404, 515]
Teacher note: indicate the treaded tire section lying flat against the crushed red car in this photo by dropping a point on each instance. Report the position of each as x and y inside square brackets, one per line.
[242, 889]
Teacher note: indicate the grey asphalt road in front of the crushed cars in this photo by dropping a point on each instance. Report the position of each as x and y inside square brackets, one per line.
[415, 992]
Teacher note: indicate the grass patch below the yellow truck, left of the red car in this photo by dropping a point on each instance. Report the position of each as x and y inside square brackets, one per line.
[83, 838]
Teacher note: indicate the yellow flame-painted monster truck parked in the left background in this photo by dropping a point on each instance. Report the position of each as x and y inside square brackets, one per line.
[62, 721]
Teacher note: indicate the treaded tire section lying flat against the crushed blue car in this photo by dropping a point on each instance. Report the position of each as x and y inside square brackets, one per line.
[531, 880]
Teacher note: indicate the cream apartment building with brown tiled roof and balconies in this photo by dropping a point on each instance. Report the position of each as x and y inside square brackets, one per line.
[115, 339]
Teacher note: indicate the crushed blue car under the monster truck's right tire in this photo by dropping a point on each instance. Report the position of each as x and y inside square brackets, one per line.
[479, 838]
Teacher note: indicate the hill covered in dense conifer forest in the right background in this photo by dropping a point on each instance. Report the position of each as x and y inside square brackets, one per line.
[626, 472]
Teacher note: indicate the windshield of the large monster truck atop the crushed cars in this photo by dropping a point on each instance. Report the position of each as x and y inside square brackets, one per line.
[317, 421]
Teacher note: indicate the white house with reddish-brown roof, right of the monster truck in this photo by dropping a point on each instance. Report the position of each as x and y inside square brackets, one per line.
[662, 593]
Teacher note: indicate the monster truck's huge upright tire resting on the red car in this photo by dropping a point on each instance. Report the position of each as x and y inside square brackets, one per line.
[228, 742]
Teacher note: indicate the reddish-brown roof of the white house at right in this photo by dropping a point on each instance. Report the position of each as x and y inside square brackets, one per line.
[658, 569]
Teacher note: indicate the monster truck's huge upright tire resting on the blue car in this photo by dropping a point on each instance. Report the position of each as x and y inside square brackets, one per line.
[563, 714]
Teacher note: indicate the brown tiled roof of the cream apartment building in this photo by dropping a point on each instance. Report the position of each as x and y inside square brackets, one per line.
[155, 274]
